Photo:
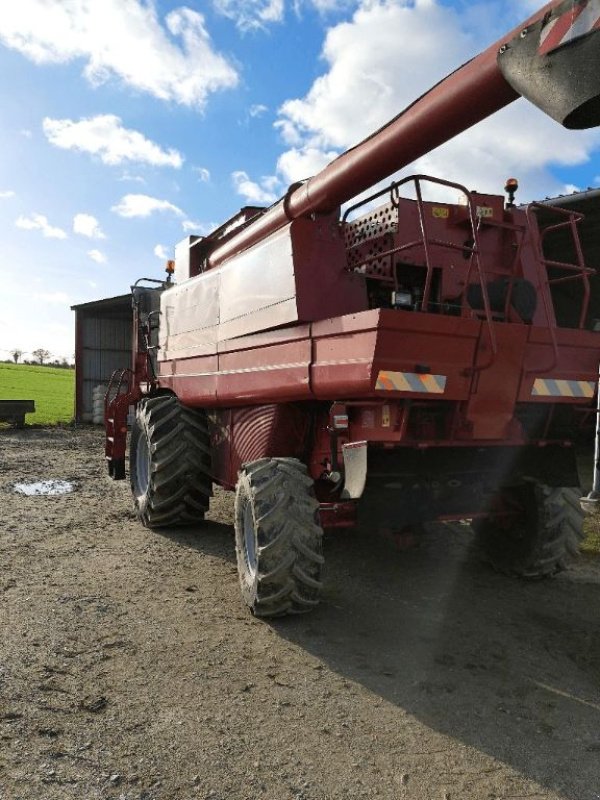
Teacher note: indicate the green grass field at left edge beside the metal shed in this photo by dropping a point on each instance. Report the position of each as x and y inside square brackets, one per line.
[52, 389]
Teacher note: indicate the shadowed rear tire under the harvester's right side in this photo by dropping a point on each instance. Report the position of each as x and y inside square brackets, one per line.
[536, 532]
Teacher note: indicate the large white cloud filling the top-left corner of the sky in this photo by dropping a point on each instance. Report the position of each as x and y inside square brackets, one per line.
[123, 39]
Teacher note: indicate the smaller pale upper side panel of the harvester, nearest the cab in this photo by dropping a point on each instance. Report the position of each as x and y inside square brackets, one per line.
[189, 317]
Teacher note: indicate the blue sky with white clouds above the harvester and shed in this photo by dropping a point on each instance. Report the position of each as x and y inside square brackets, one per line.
[128, 124]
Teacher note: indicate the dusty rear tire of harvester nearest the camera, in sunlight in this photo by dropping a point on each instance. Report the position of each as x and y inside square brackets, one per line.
[279, 543]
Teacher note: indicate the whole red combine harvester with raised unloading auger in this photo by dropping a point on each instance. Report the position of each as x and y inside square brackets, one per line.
[410, 361]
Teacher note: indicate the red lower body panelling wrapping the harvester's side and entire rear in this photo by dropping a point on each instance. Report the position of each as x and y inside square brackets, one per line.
[341, 358]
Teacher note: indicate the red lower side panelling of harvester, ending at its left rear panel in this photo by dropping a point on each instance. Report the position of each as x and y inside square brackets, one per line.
[328, 360]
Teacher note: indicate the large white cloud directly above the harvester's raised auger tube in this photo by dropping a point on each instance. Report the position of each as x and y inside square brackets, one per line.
[368, 58]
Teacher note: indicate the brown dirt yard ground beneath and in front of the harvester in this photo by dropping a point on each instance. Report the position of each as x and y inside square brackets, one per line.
[129, 669]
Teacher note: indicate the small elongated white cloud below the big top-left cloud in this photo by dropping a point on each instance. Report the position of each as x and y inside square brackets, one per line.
[105, 136]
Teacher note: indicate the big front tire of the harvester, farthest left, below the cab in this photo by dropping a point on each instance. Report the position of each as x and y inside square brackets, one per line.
[169, 462]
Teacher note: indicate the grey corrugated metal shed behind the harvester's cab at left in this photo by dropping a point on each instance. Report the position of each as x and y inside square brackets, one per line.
[103, 344]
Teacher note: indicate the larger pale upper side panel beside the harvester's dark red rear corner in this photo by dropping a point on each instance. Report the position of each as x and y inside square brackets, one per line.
[259, 278]
